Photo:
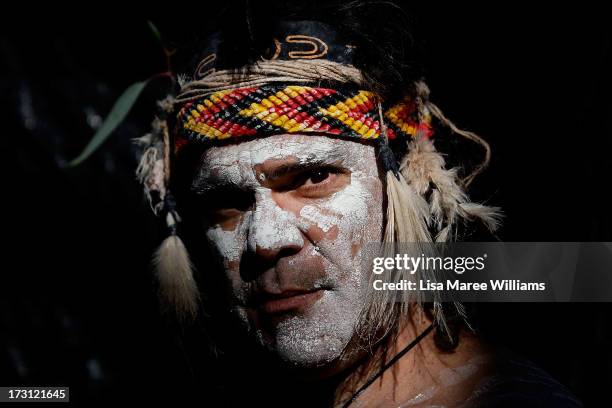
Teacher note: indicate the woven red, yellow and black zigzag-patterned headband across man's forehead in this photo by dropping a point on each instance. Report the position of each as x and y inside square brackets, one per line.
[278, 109]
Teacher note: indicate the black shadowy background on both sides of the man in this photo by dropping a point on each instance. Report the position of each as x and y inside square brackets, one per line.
[77, 301]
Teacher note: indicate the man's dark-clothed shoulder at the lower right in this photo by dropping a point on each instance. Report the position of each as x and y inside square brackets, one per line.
[519, 382]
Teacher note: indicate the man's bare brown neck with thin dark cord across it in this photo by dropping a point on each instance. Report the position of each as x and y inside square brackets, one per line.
[425, 374]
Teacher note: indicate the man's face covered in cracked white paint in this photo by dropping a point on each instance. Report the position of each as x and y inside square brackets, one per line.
[289, 215]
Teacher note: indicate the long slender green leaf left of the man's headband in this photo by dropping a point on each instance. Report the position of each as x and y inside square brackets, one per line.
[117, 114]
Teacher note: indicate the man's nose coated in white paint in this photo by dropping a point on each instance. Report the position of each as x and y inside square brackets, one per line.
[273, 231]
